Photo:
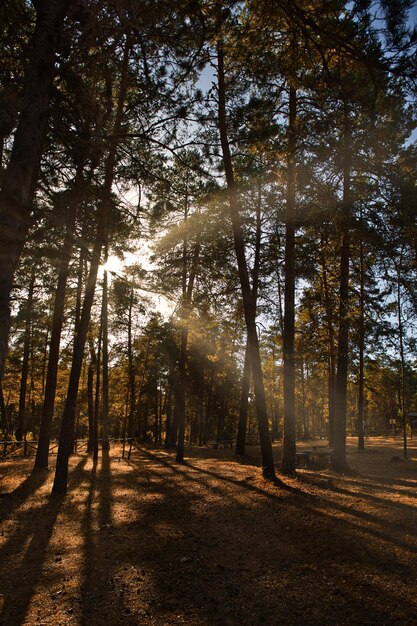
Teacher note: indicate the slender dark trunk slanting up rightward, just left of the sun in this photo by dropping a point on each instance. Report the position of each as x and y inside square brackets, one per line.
[67, 426]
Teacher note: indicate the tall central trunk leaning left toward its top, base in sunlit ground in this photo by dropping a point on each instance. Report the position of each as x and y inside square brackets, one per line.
[247, 297]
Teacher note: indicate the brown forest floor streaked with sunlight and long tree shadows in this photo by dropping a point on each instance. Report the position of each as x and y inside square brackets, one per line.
[151, 542]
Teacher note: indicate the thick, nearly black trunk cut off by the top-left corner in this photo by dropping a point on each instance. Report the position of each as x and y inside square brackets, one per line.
[20, 177]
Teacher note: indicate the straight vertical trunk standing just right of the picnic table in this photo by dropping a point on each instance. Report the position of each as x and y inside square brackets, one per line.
[339, 452]
